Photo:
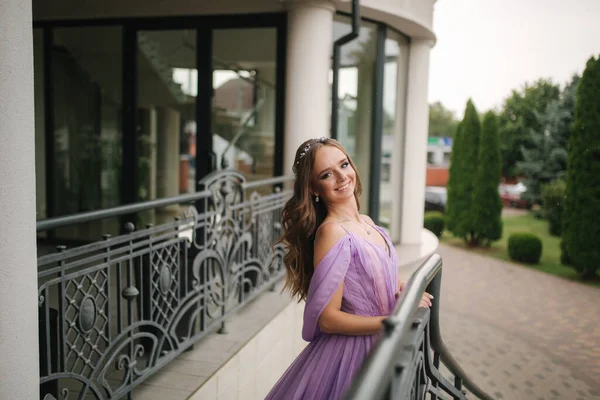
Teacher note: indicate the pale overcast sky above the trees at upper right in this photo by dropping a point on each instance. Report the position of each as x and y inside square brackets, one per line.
[486, 48]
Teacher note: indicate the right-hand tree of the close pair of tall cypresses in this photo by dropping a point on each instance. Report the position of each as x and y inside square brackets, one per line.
[487, 206]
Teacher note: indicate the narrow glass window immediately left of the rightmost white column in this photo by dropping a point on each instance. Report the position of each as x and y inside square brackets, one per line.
[392, 141]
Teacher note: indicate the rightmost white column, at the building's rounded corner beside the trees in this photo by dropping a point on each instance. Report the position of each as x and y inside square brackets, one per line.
[415, 150]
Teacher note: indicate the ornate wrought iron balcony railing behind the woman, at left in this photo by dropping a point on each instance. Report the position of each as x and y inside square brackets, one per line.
[114, 312]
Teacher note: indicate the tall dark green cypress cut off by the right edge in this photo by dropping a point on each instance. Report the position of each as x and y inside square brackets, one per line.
[581, 221]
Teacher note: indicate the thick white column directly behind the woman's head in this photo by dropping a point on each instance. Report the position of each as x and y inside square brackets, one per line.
[307, 109]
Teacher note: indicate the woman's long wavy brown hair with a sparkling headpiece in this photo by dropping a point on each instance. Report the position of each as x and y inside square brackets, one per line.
[302, 216]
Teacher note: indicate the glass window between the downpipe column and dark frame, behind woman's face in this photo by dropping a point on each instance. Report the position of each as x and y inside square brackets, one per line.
[355, 93]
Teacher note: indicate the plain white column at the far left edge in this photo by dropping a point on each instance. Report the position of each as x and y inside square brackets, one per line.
[19, 372]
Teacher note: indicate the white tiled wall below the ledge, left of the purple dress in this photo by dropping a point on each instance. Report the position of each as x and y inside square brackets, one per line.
[252, 372]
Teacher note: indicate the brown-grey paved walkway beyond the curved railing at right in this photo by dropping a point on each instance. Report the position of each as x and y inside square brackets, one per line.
[520, 333]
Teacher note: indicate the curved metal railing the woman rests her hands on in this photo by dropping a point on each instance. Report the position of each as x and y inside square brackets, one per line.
[405, 362]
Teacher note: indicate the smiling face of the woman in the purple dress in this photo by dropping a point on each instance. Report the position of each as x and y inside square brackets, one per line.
[333, 178]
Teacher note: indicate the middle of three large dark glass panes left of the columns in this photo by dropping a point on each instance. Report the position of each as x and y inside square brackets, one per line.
[167, 81]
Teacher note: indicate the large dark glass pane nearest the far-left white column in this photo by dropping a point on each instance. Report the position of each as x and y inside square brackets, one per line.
[87, 110]
